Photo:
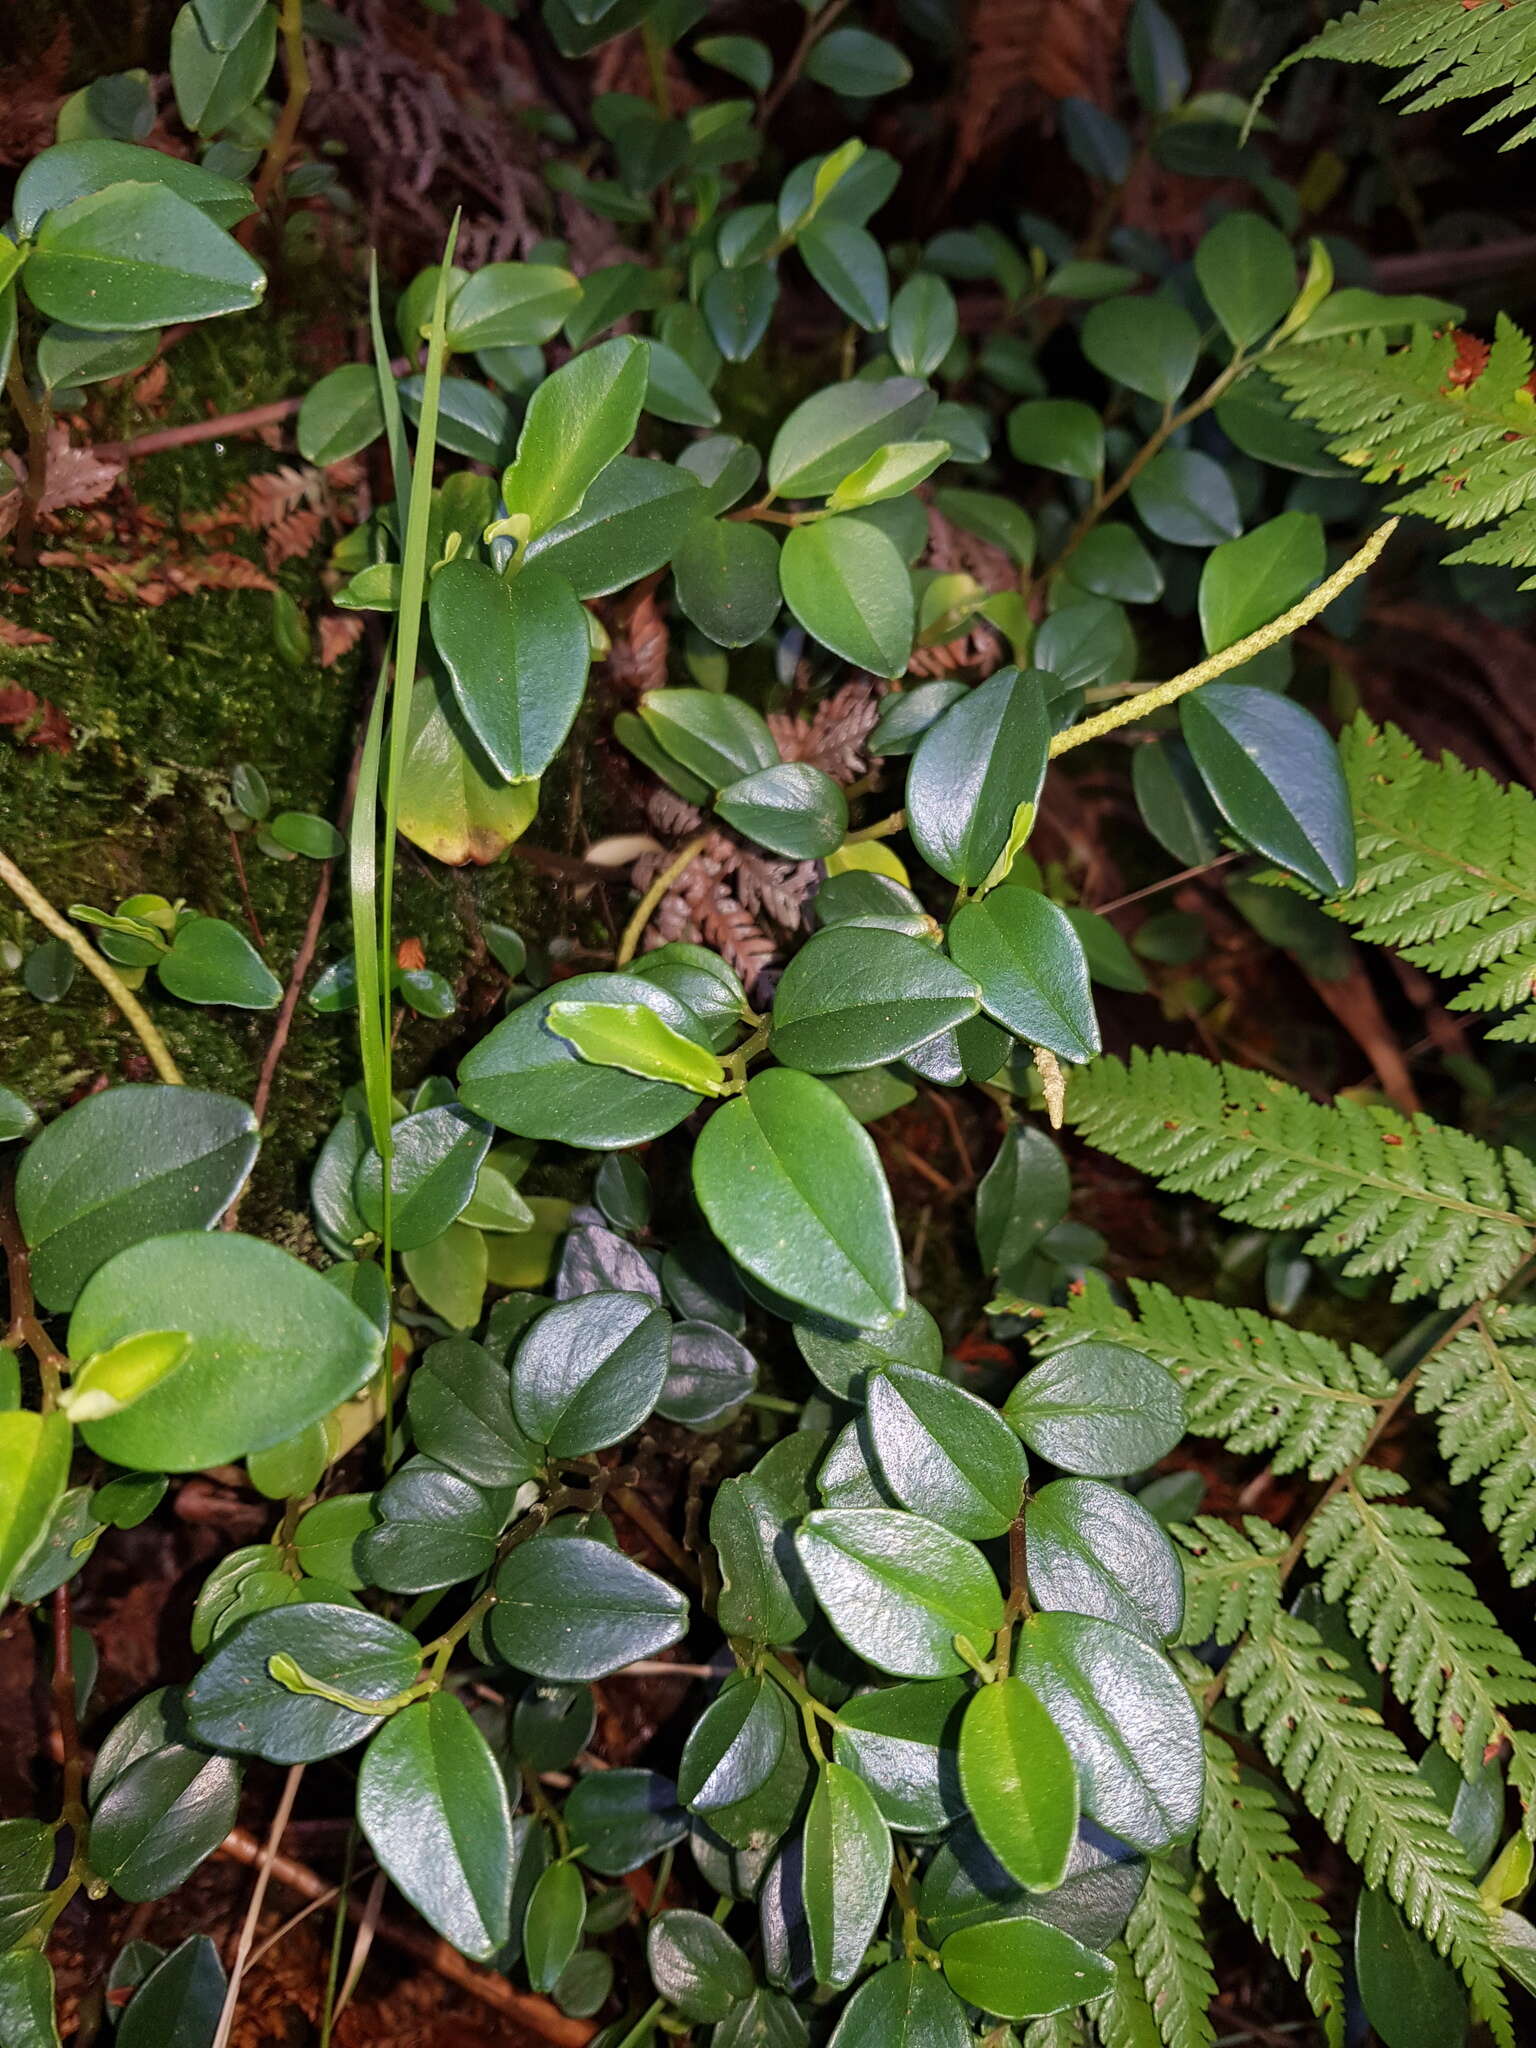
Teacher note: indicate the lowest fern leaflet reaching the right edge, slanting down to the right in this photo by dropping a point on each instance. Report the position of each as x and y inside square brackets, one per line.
[1408, 1598]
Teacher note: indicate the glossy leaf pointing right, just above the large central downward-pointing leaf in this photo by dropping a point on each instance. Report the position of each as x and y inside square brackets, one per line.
[859, 996]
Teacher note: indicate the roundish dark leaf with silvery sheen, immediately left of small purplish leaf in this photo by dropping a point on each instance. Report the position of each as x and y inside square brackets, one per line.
[591, 1371]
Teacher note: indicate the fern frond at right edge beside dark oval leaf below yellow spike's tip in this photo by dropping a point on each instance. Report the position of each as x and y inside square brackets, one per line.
[1447, 871]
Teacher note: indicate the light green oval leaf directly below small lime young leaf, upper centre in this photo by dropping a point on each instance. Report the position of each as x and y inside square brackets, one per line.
[849, 587]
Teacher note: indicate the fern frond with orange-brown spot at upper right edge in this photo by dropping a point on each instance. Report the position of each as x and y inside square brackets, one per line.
[1420, 413]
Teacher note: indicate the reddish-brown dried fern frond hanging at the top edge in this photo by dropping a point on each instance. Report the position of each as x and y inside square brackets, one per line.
[1021, 56]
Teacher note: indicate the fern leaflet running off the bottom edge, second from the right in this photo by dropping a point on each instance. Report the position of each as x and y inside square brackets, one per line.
[1248, 1848]
